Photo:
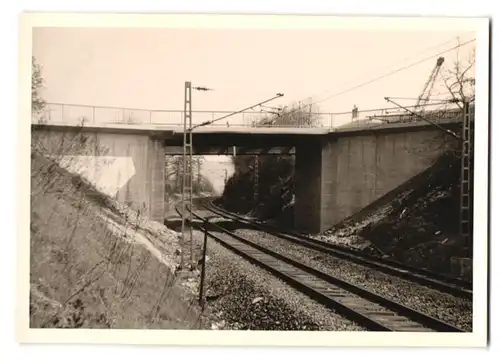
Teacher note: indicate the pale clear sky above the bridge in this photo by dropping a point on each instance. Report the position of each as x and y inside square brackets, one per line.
[147, 68]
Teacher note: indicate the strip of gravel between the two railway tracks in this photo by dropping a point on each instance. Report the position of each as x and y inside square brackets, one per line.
[453, 310]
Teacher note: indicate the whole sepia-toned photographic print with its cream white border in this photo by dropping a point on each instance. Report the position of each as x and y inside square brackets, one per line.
[227, 174]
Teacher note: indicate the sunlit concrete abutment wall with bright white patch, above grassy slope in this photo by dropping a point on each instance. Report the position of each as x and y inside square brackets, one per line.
[129, 168]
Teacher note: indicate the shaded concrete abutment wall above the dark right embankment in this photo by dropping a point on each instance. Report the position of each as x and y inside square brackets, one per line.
[347, 173]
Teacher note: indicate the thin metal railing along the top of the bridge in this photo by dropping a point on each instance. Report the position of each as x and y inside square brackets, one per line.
[72, 114]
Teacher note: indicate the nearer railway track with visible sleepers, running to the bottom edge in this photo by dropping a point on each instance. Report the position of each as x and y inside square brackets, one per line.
[368, 309]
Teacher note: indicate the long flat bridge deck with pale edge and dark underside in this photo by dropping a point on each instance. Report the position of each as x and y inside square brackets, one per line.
[241, 140]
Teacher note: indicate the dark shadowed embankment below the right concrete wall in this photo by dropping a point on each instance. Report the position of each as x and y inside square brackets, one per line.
[417, 223]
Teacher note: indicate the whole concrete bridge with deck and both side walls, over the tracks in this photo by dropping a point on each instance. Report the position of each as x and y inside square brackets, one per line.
[339, 170]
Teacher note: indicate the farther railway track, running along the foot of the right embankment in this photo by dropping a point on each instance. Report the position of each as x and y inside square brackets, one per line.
[455, 287]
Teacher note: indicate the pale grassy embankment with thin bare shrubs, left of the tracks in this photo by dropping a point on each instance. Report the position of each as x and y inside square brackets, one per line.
[95, 263]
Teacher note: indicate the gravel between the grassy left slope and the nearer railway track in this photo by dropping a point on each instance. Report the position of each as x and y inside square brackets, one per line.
[242, 296]
